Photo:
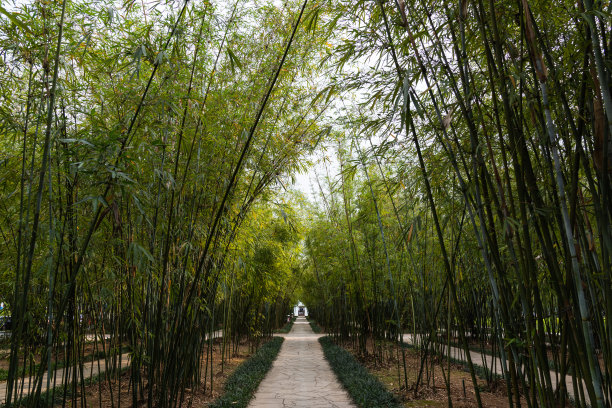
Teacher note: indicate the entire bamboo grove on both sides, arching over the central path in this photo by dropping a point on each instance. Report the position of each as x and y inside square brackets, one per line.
[147, 148]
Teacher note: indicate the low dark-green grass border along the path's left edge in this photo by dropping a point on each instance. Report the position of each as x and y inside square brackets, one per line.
[242, 383]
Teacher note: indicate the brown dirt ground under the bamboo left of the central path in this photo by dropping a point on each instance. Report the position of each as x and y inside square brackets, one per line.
[106, 395]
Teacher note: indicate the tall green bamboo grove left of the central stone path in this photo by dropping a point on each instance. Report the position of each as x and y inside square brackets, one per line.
[142, 146]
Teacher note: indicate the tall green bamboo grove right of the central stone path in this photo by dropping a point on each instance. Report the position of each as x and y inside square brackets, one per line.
[472, 197]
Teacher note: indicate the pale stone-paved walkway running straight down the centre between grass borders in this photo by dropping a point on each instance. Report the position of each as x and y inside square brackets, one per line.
[300, 376]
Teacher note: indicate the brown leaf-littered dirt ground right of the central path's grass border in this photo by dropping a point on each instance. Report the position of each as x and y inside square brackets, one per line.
[432, 391]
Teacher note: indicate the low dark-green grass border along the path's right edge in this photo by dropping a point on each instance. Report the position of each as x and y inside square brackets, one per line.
[365, 389]
